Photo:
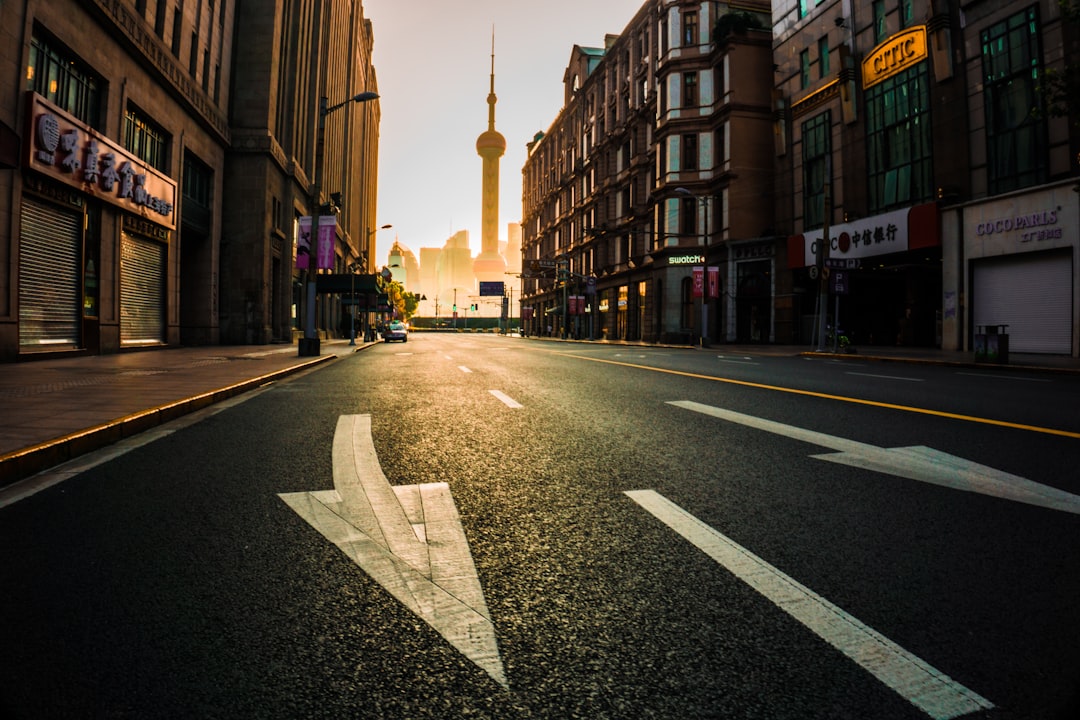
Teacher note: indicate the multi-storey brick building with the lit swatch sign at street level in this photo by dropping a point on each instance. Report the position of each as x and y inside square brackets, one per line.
[647, 206]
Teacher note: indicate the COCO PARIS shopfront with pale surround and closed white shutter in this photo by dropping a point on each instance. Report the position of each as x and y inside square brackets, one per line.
[1018, 256]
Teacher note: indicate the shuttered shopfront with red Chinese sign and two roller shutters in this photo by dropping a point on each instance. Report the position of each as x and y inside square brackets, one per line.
[87, 199]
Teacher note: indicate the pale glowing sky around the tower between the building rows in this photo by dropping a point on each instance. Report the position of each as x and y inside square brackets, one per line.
[434, 62]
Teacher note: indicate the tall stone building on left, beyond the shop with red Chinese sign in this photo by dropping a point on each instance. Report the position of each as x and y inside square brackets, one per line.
[290, 56]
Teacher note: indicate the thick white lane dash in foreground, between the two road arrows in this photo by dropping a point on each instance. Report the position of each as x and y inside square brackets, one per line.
[927, 688]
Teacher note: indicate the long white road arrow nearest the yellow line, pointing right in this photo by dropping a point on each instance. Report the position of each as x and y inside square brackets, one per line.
[915, 464]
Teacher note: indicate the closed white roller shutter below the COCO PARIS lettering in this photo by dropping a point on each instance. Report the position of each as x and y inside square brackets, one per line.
[1031, 293]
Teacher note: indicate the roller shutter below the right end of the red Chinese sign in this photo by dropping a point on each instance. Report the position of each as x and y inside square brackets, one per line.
[142, 291]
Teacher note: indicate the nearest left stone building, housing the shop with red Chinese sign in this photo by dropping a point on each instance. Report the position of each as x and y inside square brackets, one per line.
[112, 191]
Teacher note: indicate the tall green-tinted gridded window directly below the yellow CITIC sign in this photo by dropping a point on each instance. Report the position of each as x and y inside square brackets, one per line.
[898, 141]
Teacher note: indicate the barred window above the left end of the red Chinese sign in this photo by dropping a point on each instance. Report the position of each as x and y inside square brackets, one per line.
[64, 81]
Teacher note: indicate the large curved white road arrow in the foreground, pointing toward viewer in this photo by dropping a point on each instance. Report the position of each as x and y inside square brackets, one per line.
[409, 538]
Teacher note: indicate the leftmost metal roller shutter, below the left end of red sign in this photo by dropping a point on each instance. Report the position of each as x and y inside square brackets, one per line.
[50, 308]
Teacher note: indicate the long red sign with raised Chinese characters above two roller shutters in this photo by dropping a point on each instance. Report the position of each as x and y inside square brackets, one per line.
[69, 152]
